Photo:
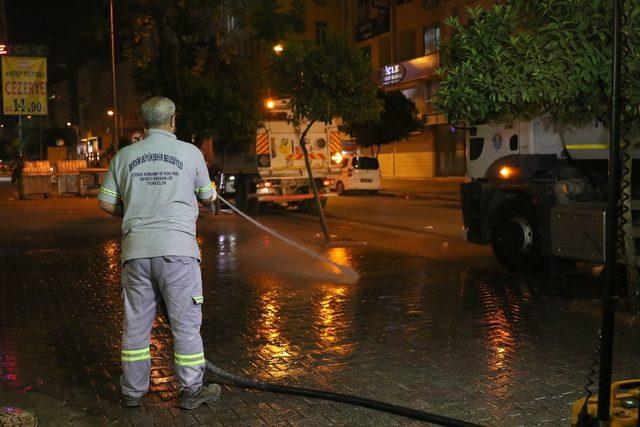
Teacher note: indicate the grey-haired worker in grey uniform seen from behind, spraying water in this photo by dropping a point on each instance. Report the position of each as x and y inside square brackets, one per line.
[155, 186]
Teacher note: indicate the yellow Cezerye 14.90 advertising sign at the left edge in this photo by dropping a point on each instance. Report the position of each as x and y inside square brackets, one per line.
[24, 85]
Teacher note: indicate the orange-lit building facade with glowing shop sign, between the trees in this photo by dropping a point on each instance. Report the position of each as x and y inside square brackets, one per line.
[402, 38]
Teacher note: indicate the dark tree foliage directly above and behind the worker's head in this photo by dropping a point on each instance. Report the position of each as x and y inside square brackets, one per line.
[185, 50]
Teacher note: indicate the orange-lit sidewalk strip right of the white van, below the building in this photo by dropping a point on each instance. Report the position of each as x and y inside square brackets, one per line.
[445, 188]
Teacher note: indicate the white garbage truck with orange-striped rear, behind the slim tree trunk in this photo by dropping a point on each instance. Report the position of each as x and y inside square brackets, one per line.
[272, 171]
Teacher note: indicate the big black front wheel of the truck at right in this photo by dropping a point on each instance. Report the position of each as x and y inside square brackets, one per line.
[515, 236]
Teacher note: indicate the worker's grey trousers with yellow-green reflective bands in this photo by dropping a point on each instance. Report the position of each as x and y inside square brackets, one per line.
[177, 280]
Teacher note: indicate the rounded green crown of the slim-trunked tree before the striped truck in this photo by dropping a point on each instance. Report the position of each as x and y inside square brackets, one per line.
[322, 81]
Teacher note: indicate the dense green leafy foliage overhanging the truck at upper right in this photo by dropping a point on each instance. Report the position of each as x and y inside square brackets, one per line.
[531, 57]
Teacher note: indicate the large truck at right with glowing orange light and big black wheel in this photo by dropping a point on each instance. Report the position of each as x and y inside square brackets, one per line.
[538, 192]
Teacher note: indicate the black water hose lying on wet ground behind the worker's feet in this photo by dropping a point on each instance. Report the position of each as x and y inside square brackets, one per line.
[337, 397]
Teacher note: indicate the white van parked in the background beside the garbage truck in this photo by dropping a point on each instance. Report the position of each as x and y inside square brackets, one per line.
[359, 173]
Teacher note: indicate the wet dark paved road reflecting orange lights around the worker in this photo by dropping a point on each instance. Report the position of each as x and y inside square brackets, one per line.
[433, 323]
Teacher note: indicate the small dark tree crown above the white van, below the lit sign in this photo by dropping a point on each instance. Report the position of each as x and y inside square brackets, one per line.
[397, 120]
